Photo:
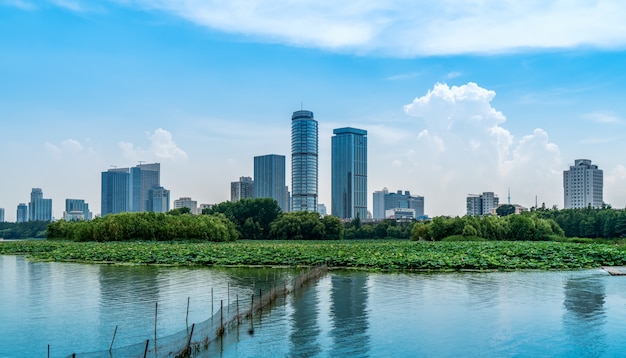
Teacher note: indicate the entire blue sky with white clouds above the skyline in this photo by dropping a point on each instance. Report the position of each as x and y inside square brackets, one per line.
[458, 97]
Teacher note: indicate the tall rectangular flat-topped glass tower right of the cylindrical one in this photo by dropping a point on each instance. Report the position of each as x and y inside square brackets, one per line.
[349, 173]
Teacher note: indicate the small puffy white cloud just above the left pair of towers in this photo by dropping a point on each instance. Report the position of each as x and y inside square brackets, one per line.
[162, 147]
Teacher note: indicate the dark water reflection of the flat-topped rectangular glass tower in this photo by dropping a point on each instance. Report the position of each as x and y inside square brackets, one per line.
[349, 331]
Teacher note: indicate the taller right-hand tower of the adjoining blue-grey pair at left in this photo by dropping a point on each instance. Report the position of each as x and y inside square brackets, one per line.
[143, 178]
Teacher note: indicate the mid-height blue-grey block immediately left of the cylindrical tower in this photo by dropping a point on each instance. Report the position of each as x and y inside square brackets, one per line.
[269, 179]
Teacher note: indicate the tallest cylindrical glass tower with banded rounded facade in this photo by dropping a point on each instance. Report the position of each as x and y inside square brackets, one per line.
[304, 161]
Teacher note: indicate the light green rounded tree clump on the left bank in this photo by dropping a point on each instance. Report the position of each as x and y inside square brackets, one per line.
[145, 226]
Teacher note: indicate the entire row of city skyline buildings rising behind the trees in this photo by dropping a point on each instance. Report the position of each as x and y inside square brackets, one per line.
[138, 188]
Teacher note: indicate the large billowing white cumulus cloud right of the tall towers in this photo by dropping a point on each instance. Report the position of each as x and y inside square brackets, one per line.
[464, 148]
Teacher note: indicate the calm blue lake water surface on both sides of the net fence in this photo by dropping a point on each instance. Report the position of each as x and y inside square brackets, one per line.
[75, 308]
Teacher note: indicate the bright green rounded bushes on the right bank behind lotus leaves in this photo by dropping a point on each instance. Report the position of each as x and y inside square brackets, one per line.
[510, 227]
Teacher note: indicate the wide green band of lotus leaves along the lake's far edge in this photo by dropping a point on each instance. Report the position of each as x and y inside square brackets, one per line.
[371, 255]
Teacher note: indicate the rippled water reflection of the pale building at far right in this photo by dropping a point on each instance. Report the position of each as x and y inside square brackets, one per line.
[585, 315]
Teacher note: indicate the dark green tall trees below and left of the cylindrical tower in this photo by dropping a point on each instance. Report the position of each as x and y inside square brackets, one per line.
[252, 217]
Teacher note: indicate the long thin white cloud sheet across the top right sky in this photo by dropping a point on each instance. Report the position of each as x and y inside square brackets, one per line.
[411, 28]
